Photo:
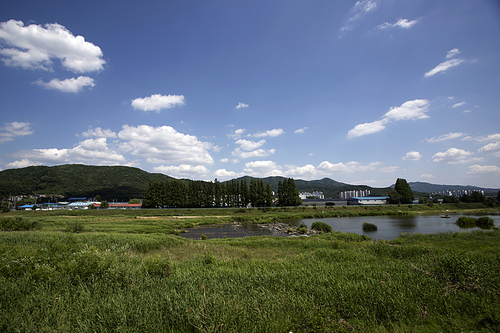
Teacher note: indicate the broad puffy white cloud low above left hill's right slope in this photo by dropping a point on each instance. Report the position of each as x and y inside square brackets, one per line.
[164, 145]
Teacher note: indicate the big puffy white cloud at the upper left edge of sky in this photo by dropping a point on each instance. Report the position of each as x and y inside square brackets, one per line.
[35, 46]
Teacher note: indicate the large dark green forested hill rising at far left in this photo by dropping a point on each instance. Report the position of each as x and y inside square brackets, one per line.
[119, 183]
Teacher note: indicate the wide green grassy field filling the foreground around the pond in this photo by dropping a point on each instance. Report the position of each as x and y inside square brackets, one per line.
[120, 273]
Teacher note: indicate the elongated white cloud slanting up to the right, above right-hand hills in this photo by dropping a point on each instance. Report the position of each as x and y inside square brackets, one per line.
[410, 110]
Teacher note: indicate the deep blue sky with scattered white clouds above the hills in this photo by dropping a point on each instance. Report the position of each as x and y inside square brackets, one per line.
[363, 92]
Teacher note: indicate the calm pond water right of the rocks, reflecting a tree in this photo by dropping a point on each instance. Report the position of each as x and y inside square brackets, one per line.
[390, 227]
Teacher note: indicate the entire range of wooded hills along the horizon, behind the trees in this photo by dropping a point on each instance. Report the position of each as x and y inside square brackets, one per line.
[122, 183]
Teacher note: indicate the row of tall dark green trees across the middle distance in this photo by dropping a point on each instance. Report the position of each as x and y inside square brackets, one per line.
[234, 193]
